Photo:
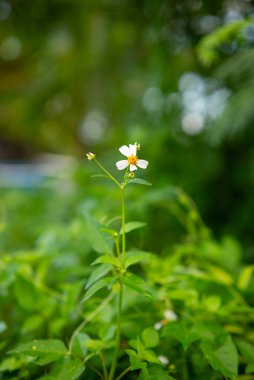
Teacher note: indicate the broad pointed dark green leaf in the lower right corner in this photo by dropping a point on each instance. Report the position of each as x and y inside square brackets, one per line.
[222, 358]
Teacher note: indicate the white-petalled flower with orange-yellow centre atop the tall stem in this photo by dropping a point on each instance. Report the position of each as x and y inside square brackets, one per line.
[132, 158]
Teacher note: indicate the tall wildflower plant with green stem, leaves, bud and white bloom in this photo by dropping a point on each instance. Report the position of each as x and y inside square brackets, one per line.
[120, 261]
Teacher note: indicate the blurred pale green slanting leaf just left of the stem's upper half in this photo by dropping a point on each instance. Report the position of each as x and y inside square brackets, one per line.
[96, 238]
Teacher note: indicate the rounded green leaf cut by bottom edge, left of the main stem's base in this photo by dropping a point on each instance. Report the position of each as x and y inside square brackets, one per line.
[68, 369]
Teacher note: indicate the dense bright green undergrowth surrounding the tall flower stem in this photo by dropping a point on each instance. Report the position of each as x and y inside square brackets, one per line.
[187, 309]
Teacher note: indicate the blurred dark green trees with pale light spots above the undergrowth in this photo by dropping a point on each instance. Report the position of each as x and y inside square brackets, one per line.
[95, 74]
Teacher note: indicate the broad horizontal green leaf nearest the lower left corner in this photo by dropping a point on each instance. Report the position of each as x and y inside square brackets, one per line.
[45, 351]
